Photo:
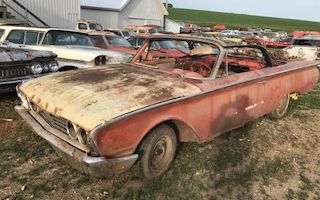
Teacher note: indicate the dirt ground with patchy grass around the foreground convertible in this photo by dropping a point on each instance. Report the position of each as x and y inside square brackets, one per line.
[266, 159]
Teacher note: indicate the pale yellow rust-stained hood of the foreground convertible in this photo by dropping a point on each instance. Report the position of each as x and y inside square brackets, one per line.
[88, 97]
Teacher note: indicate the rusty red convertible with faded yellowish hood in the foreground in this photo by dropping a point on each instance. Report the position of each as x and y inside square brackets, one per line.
[103, 120]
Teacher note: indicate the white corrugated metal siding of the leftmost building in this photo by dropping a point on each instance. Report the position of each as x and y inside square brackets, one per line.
[56, 13]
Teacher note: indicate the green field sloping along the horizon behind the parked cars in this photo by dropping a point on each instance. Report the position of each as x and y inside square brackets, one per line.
[208, 18]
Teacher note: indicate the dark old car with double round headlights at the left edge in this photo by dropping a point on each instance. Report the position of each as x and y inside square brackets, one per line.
[18, 65]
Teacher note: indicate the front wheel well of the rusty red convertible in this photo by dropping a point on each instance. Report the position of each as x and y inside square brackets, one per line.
[183, 132]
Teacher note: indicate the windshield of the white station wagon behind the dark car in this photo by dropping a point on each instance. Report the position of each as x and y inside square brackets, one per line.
[62, 38]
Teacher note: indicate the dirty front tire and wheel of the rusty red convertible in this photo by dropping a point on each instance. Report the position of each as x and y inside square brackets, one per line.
[158, 151]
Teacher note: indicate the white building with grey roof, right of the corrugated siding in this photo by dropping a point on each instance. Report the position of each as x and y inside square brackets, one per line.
[116, 13]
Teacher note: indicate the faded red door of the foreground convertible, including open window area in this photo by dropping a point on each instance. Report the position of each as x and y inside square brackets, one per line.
[242, 98]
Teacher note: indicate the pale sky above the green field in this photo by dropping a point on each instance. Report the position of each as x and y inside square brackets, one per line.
[292, 9]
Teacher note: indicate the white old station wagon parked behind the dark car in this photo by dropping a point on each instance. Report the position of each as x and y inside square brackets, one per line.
[74, 49]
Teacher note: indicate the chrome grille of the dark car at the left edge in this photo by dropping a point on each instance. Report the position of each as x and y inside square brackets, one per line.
[7, 72]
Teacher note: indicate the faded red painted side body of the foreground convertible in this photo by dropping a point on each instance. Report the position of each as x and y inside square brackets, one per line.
[225, 104]
